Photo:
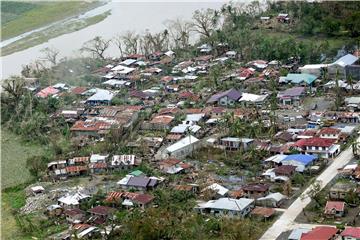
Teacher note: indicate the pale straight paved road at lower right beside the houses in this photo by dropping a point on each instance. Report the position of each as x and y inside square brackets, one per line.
[287, 219]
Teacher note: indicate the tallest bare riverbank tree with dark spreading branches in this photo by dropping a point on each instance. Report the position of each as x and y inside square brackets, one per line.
[205, 21]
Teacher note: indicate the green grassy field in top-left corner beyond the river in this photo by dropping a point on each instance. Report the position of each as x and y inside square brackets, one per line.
[19, 16]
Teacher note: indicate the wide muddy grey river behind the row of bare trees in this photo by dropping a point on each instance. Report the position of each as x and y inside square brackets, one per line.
[125, 16]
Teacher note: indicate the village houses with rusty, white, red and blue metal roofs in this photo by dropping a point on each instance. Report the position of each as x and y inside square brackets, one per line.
[161, 110]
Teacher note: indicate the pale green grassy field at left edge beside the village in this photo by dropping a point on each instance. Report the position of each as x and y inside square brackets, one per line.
[13, 159]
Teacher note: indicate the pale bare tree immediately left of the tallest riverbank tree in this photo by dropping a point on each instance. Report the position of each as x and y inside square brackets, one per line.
[179, 31]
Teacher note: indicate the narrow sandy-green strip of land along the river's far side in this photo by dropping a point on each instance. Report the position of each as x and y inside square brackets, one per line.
[51, 32]
